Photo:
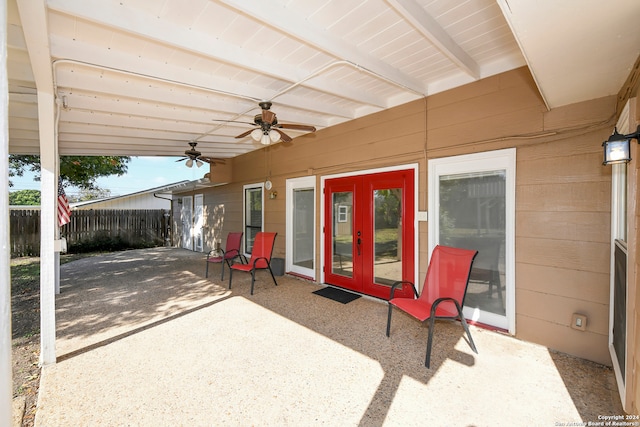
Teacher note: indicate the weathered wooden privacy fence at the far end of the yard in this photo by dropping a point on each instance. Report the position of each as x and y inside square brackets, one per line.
[101, 229]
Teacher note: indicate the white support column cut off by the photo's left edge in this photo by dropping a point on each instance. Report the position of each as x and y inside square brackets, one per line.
[6, 388]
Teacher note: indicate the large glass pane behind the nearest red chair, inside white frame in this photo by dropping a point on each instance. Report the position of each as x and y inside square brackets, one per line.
[473, 216]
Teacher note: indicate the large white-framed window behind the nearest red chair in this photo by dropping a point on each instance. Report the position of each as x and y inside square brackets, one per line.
[472, 205]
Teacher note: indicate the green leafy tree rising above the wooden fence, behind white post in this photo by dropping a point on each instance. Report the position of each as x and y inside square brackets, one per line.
[79, 171]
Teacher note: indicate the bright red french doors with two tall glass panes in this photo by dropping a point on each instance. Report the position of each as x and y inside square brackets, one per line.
[368, 231]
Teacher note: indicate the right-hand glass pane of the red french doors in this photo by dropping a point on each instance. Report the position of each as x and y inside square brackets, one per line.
[387, 224]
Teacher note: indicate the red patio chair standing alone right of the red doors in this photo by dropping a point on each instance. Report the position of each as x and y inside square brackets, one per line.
[442, 297]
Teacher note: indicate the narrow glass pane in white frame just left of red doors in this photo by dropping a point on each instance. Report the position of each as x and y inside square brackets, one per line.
[303, 207]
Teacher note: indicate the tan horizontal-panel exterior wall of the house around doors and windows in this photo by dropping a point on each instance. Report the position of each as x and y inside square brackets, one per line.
[562, 190]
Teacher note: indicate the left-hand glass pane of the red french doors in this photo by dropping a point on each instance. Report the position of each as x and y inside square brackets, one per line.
[342, 239]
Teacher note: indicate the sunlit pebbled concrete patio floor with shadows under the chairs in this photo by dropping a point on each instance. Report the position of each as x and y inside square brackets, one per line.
[144, 339]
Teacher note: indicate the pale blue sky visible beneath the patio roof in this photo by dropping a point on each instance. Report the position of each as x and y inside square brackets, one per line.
[142, 173]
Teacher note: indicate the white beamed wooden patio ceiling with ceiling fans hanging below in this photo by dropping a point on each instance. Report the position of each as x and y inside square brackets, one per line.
[145, 77]
